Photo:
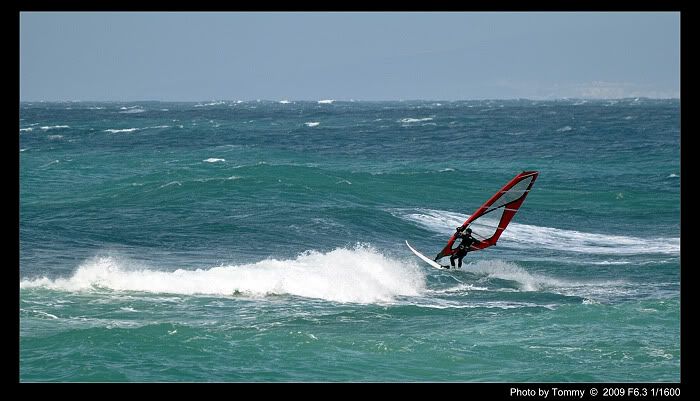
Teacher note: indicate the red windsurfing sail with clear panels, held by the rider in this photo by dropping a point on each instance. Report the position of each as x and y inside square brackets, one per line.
[489, 221]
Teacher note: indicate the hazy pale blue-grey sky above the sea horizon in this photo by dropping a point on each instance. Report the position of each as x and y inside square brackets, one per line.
[124, 56]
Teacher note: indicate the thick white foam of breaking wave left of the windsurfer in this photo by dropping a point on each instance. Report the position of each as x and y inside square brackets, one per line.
[361, 275]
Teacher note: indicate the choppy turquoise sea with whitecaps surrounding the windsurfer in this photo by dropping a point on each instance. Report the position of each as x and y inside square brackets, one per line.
[264, 241]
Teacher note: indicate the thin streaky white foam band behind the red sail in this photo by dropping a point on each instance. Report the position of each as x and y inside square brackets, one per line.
[531, 236]
